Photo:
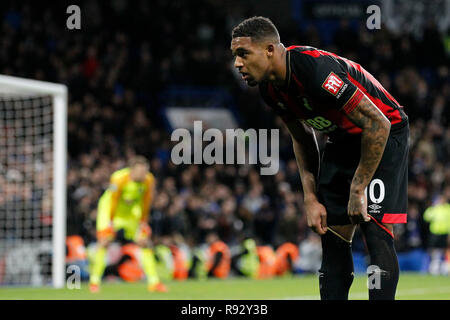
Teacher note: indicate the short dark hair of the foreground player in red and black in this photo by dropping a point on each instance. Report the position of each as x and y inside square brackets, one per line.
[257, 28]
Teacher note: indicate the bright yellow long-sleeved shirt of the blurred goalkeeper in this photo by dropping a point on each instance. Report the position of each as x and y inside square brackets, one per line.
[125, 202]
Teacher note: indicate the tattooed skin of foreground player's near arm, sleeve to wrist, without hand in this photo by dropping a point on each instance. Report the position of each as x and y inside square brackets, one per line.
[375, 131]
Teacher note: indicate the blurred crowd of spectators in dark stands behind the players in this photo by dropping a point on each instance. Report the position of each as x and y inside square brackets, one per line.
[128, 52]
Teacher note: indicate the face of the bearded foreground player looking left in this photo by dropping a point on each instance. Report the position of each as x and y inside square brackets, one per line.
[251, 59]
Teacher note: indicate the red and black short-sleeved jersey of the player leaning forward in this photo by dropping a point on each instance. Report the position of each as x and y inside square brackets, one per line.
[321, 88]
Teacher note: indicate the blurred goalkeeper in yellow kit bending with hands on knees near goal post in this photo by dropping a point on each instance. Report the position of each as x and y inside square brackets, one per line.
[123, 209]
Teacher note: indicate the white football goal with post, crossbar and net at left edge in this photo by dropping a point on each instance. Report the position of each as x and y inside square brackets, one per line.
[33, 118]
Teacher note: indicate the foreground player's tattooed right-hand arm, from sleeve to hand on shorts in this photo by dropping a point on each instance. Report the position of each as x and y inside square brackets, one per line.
[375, 132]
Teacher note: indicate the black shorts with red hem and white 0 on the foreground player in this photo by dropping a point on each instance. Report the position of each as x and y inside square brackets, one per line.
[387, 197]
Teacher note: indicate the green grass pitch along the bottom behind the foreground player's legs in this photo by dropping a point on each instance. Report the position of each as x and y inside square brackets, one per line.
[411, 286]
